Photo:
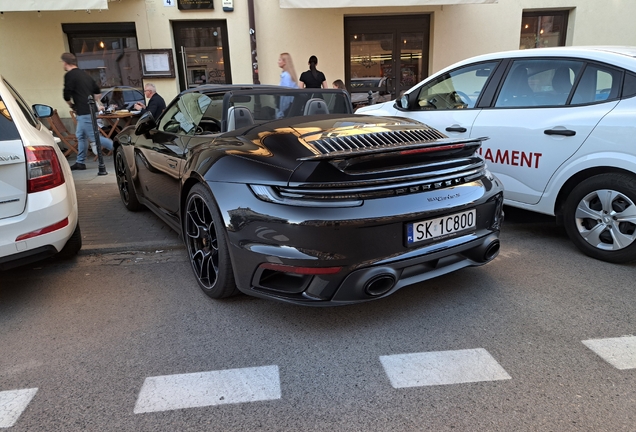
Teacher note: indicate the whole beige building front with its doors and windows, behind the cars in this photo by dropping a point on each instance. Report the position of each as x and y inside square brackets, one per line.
[177, 44]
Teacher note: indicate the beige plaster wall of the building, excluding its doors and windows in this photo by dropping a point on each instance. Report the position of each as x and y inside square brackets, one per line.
[32, 44]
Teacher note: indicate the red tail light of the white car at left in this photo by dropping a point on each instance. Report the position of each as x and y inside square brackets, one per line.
[43, 169]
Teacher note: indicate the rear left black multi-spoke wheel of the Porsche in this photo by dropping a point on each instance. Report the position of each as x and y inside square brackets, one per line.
[206, 241]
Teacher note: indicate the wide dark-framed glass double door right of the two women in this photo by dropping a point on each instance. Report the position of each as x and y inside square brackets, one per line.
[385, 56]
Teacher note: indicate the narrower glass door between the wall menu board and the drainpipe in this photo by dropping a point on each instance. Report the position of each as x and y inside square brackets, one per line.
[203, 55]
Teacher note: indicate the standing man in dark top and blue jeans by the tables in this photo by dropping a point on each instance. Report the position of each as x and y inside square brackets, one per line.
[78, 85]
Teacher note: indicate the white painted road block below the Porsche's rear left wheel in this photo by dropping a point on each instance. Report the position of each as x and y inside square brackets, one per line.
[171, 392]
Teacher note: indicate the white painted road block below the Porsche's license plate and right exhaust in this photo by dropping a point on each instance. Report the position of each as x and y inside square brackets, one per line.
[442, 367]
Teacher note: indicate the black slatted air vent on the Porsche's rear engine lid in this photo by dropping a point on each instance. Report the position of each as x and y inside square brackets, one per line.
[376, 140]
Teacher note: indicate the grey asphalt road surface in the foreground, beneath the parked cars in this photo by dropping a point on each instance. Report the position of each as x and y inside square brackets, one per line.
[89, 334]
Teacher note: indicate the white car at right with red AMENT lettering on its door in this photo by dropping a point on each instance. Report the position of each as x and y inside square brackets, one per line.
[561, 124]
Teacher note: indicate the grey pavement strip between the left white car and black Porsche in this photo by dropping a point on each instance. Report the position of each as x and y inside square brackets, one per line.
[107, 226]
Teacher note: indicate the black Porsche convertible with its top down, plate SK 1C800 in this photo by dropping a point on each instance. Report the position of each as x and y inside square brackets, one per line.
[285, 194]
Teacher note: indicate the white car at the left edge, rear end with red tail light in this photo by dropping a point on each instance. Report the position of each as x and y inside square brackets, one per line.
[38, 204]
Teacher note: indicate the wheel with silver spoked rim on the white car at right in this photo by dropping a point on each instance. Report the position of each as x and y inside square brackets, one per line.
[600, 217]
